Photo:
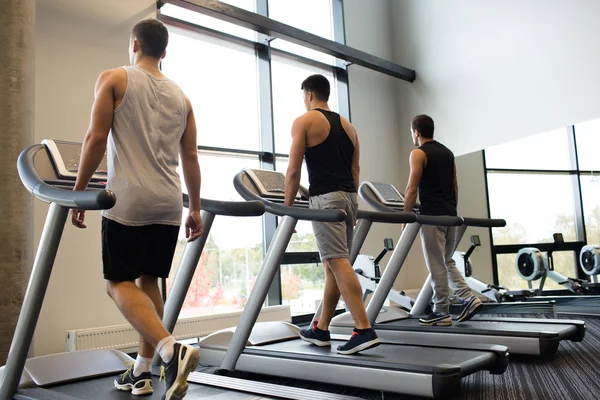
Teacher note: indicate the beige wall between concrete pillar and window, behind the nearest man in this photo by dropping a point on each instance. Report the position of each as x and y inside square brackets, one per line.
[75, 41]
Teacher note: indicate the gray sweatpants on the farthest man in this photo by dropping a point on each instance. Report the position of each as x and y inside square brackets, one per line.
[439, 243]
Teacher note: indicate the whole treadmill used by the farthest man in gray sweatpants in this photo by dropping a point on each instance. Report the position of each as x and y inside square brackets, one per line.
[520, 335]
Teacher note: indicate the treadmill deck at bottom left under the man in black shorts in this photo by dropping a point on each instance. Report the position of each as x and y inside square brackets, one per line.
[103, 388]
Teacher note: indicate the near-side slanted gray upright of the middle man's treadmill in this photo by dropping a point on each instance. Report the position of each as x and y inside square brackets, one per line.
[259, 293]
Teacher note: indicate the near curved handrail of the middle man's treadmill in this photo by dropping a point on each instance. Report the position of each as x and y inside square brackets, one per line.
[280, 210]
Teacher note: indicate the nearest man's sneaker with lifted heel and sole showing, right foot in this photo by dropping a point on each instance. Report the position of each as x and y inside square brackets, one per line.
[175, 373]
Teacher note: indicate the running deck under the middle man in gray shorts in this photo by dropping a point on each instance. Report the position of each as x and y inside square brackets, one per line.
[394, 357]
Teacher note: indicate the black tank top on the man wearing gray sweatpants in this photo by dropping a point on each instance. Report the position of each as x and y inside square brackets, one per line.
[436, 189]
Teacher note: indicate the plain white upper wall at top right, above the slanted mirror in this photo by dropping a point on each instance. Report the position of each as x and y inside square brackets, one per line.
[493, 71]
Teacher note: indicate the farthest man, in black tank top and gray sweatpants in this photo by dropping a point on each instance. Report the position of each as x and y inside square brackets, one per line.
[433, 174]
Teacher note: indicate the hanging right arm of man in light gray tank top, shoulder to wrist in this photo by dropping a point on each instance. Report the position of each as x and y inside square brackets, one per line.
[188, 151]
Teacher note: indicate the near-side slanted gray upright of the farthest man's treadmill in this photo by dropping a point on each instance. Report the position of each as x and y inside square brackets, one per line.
[392, 270]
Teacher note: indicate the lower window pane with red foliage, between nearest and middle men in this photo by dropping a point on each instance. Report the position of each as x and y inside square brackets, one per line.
[234, 250]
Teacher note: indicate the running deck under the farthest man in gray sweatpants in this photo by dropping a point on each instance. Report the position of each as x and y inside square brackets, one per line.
[488, 327]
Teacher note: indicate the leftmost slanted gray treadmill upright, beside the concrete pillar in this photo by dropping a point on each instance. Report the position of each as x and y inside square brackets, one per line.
[34, 297]
